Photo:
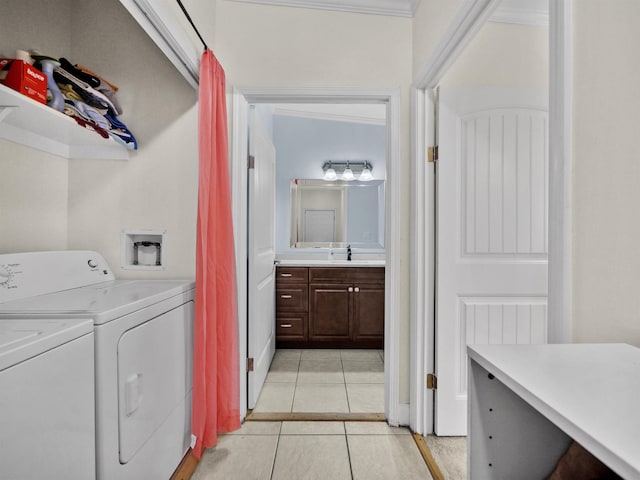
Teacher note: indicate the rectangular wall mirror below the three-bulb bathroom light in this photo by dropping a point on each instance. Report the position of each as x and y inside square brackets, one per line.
[337, 213]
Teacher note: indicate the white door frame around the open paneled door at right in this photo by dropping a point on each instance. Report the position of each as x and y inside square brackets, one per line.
[467, 22]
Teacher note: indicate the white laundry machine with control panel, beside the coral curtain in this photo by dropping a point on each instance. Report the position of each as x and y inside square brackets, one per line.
[143, 332]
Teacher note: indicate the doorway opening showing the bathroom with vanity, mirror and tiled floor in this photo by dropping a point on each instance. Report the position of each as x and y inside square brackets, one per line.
[319, 223]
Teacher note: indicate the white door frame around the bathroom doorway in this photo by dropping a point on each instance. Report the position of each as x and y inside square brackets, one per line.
[242, 96]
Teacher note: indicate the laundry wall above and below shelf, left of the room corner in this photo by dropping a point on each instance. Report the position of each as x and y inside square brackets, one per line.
[33, 184]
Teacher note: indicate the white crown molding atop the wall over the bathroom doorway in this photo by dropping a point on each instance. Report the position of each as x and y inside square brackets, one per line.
[397, 8]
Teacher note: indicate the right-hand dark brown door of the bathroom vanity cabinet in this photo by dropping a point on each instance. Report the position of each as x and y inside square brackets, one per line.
[368, 312]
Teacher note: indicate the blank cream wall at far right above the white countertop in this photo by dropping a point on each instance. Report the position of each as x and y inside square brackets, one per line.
[606, 172]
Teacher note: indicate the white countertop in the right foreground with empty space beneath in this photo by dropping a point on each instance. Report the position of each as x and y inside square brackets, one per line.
[590, 391]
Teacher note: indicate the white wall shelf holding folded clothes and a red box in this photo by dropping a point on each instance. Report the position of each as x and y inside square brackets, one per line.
[30, 123]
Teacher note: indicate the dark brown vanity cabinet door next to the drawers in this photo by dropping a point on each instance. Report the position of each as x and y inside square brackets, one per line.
[330, 312]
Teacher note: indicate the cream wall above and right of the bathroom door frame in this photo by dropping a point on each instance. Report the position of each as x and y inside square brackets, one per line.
[262, 45]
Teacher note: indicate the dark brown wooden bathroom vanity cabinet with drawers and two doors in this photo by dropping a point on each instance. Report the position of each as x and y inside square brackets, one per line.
[330, 306]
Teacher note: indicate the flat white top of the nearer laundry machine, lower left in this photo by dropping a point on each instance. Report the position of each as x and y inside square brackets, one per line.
[24, 339]
